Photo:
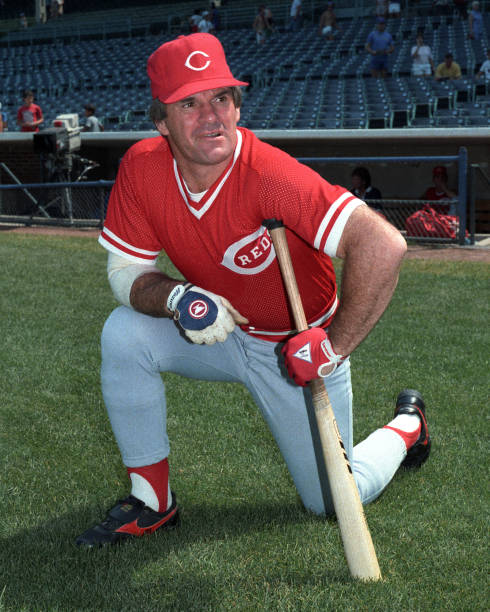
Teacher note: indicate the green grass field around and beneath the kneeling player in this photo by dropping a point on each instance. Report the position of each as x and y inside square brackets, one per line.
[244, 543]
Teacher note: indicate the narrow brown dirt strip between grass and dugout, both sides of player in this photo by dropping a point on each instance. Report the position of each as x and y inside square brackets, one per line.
[450, 253]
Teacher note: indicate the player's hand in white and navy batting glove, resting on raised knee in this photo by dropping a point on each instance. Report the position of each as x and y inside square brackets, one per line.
[205, 317]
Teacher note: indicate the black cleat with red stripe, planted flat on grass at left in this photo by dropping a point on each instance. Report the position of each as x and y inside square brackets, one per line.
[129, 518]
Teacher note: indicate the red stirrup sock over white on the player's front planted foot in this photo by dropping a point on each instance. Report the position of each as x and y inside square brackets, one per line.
[150, 484]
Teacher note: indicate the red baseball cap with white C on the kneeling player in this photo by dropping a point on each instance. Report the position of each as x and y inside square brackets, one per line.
[188, 65]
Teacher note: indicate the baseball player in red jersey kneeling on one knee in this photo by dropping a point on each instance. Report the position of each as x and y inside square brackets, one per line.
[200, 191]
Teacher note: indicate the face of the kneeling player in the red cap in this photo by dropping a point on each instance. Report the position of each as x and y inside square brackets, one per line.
[201, 129]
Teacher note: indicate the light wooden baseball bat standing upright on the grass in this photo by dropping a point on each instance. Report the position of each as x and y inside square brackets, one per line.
[356, 538]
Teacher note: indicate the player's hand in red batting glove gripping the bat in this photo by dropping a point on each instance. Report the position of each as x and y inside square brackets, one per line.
[310, 355]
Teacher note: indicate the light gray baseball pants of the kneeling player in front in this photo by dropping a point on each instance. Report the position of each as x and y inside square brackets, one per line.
[137, 347]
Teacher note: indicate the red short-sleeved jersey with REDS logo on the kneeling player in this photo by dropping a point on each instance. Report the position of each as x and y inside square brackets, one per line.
[219, 243]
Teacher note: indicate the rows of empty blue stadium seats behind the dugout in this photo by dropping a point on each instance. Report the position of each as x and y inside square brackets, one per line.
[297, 80]
